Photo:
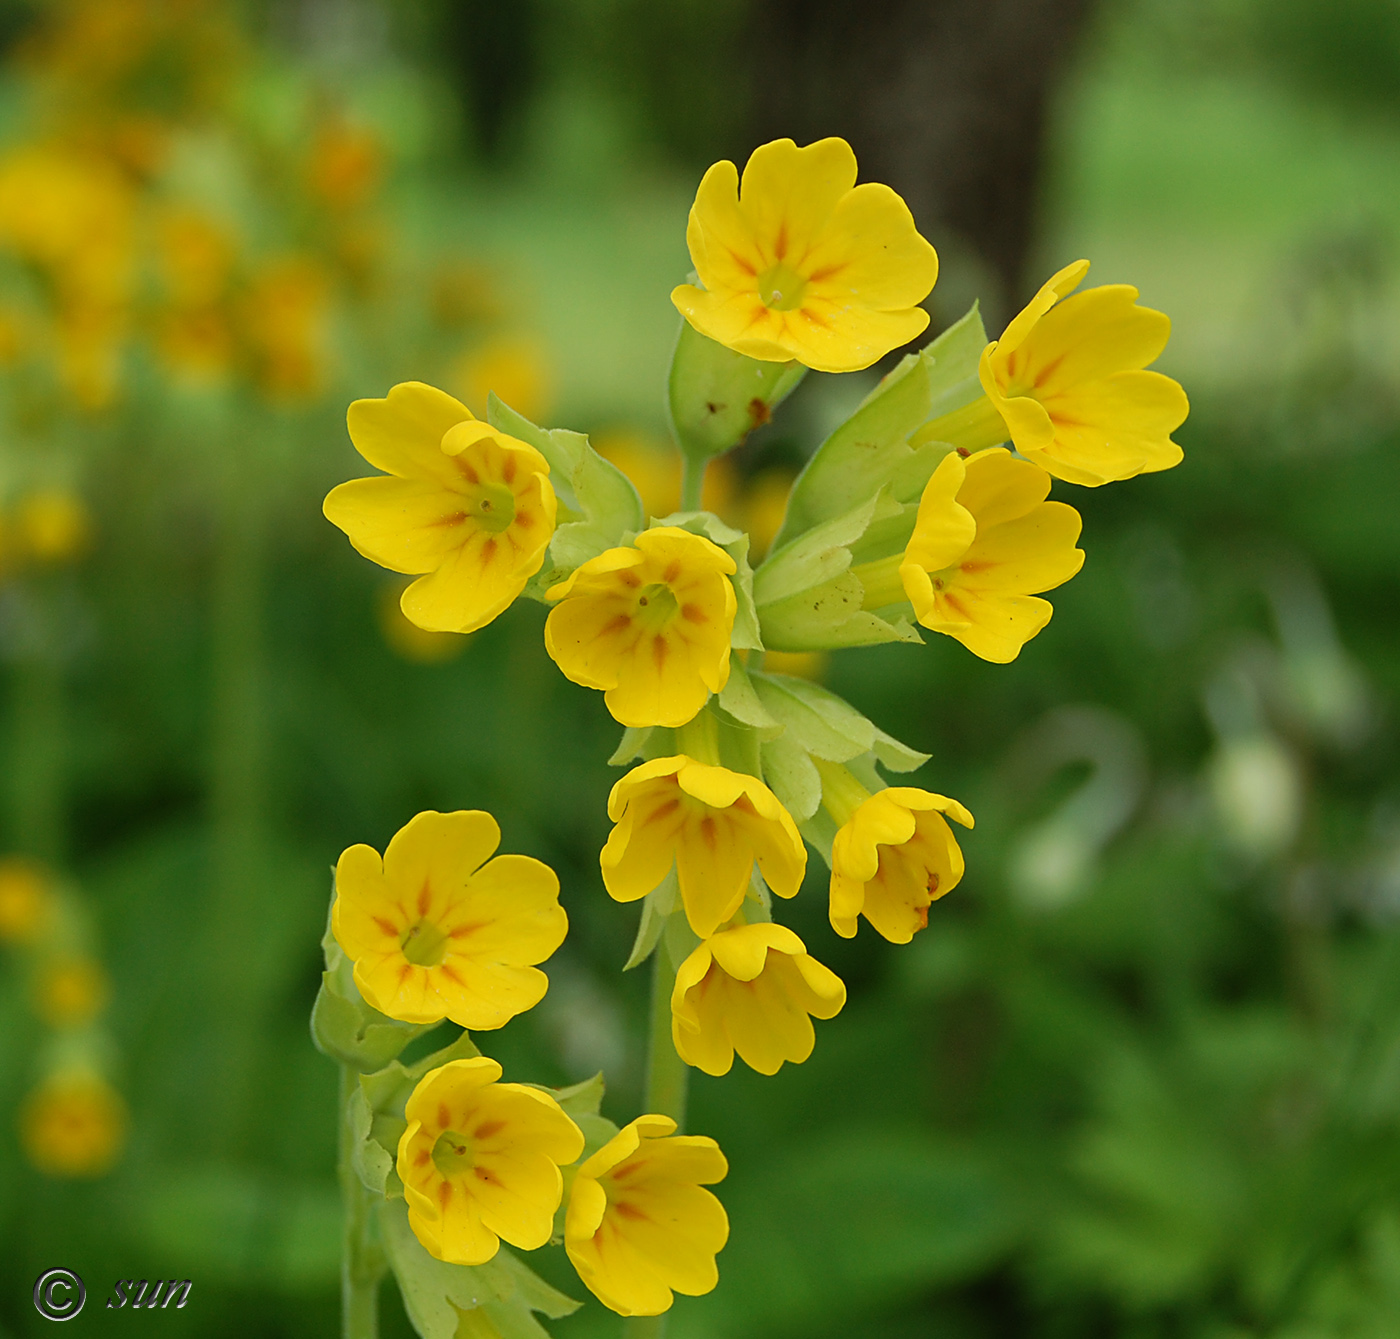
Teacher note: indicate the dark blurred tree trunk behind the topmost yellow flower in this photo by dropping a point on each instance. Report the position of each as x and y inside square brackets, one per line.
[944, 100]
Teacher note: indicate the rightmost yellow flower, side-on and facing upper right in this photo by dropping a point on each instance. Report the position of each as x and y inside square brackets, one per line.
[1067, 379]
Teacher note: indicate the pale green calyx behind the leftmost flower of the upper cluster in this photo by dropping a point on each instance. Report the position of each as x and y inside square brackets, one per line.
[600, 502]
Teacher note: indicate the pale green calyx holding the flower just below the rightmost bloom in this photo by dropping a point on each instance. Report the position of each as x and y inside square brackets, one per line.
[807, 597]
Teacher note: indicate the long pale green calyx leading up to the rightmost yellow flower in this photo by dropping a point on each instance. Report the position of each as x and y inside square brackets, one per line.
[870, 452]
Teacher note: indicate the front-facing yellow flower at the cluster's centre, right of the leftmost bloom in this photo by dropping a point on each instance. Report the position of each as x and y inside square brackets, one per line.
[650, 625]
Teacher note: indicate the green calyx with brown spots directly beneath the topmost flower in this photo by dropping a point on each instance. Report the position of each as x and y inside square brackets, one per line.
[717, 397]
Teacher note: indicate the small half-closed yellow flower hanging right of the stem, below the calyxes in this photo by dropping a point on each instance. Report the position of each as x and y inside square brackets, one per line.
[892, 858]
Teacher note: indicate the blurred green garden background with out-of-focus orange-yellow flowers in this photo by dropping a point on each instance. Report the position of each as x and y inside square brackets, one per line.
[1142, 1075]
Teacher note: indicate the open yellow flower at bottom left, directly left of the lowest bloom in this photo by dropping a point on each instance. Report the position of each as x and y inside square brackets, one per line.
[481, 1160]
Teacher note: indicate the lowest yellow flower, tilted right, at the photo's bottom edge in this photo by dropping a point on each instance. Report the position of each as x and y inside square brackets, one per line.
[640, 1223]
